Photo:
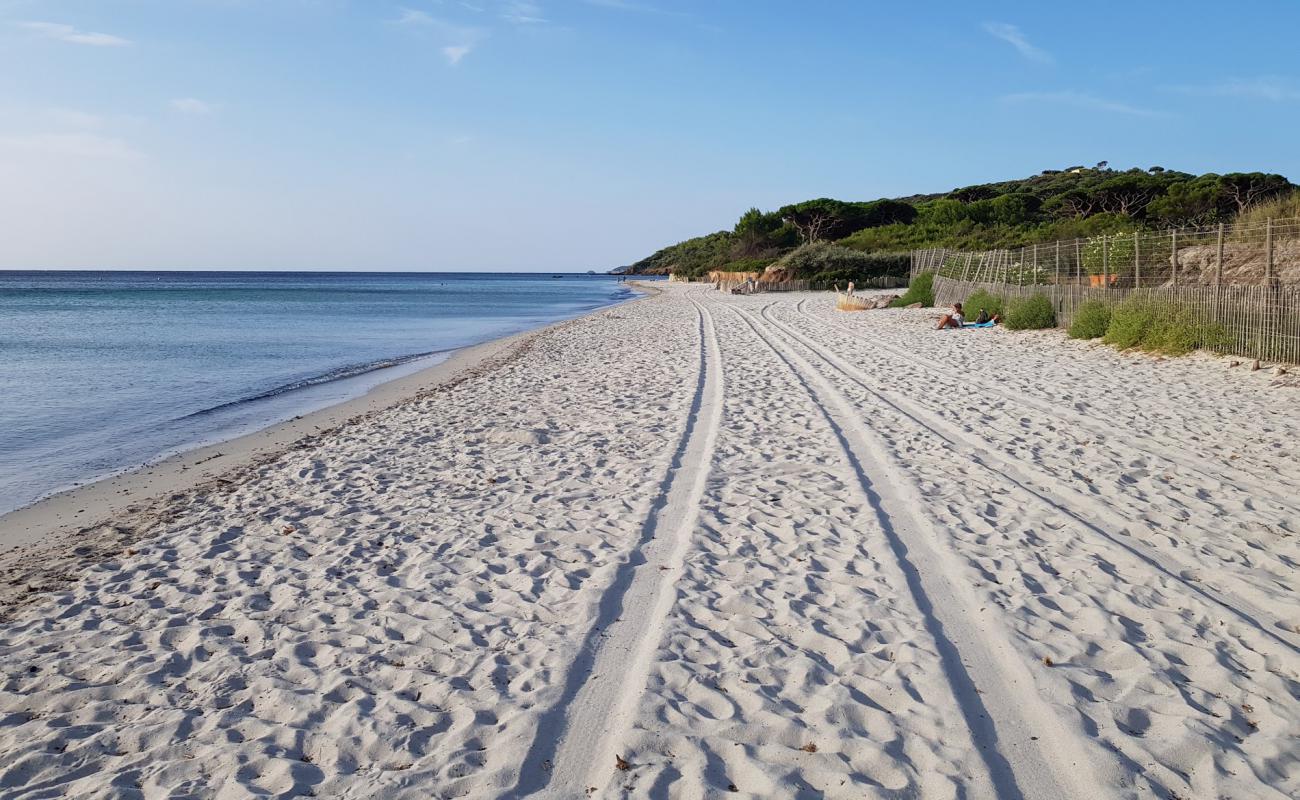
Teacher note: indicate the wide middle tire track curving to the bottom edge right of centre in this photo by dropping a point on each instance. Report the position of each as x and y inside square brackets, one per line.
[991, 681]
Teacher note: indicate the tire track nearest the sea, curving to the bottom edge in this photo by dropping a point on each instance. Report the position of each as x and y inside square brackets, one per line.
[573, 750]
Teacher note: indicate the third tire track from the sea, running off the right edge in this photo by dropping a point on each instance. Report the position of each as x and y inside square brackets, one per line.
[1054, 494]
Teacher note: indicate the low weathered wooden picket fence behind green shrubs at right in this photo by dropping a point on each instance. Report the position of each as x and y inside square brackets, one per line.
[1259, 322]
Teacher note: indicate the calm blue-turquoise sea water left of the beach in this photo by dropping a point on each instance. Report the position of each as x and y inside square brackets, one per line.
[103, 371]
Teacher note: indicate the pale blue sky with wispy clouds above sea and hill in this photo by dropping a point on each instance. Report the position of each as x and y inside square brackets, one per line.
[575, 135]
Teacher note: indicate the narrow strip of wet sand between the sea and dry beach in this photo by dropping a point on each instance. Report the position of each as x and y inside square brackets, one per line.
[45, 522]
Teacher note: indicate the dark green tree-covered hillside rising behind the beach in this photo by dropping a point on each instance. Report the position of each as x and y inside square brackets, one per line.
[839, 240]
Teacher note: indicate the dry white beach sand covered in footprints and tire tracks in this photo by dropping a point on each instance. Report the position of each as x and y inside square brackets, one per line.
[744, 546]
